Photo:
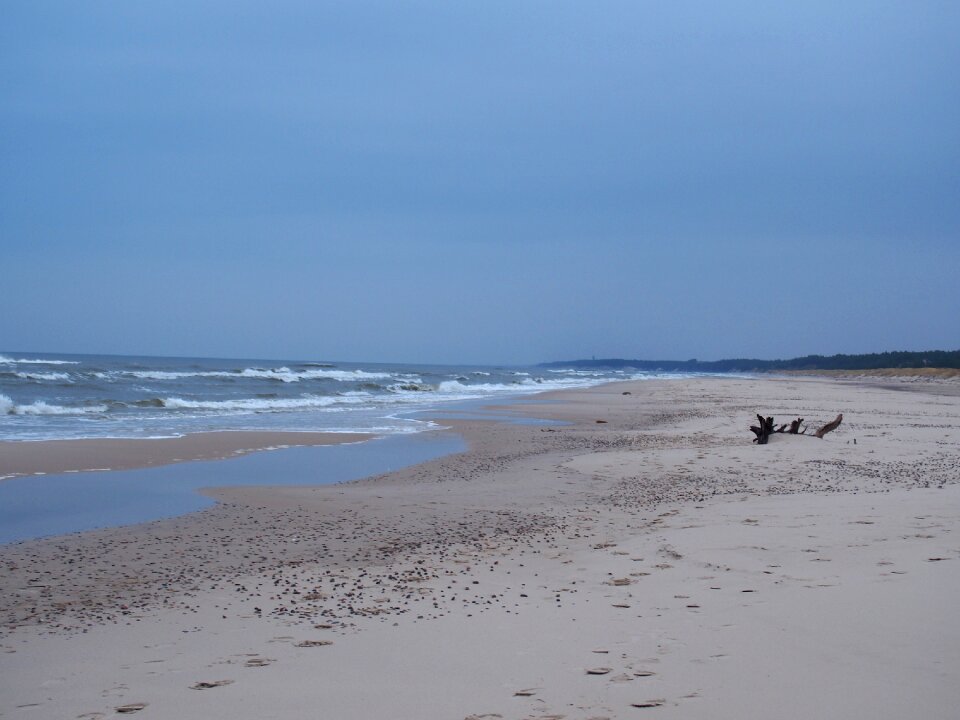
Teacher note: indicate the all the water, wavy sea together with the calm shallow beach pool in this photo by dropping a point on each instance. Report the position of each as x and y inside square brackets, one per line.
[49, 397]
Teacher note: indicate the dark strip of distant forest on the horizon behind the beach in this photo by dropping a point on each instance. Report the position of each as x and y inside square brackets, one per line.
[873, 361]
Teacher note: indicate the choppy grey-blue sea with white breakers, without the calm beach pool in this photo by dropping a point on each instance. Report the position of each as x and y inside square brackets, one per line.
[52, 396]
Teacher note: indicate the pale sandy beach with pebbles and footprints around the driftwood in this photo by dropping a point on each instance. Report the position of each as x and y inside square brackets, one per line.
[644, 560]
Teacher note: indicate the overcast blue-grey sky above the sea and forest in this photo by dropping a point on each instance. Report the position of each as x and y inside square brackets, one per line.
[479, 181]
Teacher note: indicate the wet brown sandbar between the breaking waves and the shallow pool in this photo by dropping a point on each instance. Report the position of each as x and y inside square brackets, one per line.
[20, 458]
